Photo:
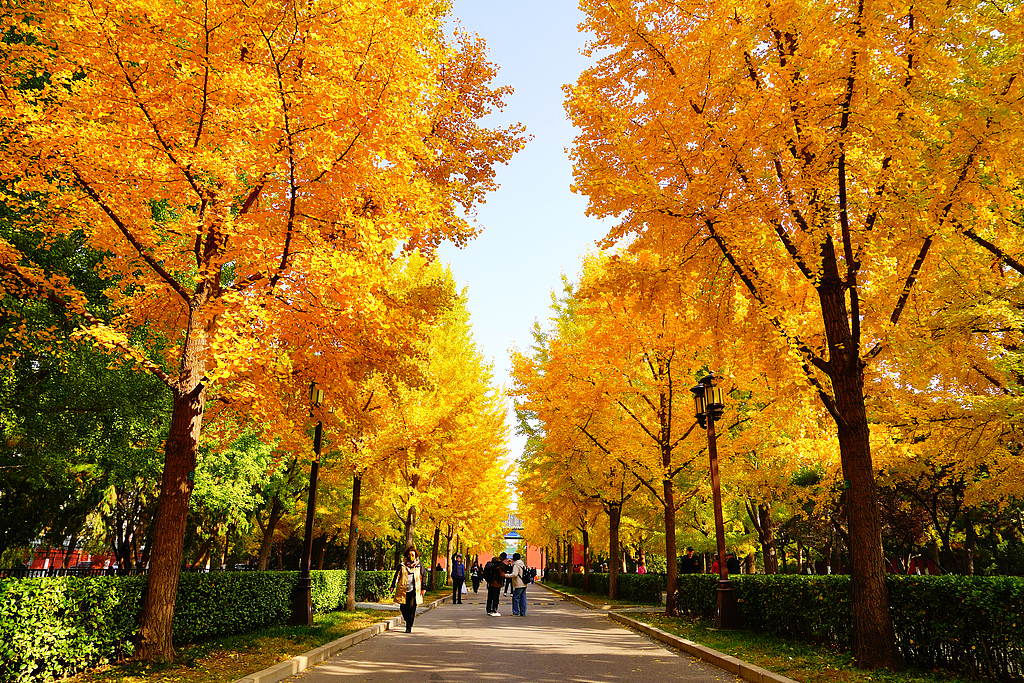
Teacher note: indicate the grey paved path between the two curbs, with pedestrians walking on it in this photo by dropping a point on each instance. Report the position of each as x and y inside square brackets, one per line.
[557, 643]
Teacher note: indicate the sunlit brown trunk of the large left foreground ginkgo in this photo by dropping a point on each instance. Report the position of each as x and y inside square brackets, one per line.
[154, 642]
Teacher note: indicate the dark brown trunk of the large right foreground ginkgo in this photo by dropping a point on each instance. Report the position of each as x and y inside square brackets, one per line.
[874, 637]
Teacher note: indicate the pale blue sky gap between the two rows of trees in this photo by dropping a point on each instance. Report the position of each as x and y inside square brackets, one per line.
[534, 228]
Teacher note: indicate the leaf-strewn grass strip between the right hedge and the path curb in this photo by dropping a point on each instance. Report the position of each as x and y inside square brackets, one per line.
[802, 662]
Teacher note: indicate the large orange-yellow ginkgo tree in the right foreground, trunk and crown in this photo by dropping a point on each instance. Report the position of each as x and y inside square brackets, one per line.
[843, 159]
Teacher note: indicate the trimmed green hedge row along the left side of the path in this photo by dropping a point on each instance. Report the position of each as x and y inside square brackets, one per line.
[56, 627]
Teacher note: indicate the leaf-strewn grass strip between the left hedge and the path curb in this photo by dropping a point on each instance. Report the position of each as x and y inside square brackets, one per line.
[231, 658]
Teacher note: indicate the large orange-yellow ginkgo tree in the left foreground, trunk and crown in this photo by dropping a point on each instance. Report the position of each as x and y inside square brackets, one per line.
[250, 167]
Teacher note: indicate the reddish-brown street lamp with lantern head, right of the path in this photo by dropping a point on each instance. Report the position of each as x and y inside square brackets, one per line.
[709, 405]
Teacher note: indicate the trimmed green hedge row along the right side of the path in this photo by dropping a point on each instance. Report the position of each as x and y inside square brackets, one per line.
[970, 625]
